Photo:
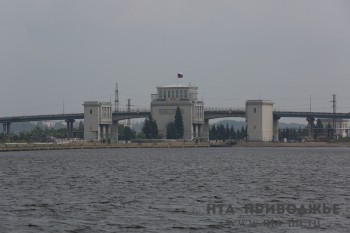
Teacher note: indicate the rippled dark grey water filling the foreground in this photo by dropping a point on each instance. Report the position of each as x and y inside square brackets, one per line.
[169, 190]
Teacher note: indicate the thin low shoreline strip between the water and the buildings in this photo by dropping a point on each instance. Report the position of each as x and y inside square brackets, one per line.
[10, 147]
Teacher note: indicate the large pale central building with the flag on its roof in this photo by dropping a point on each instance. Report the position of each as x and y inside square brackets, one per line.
[165, 102]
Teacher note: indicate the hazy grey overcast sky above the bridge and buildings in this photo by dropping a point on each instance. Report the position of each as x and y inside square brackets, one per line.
[62, 50]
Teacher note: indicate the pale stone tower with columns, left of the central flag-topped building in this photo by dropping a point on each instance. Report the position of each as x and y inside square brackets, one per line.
[97, 120]
